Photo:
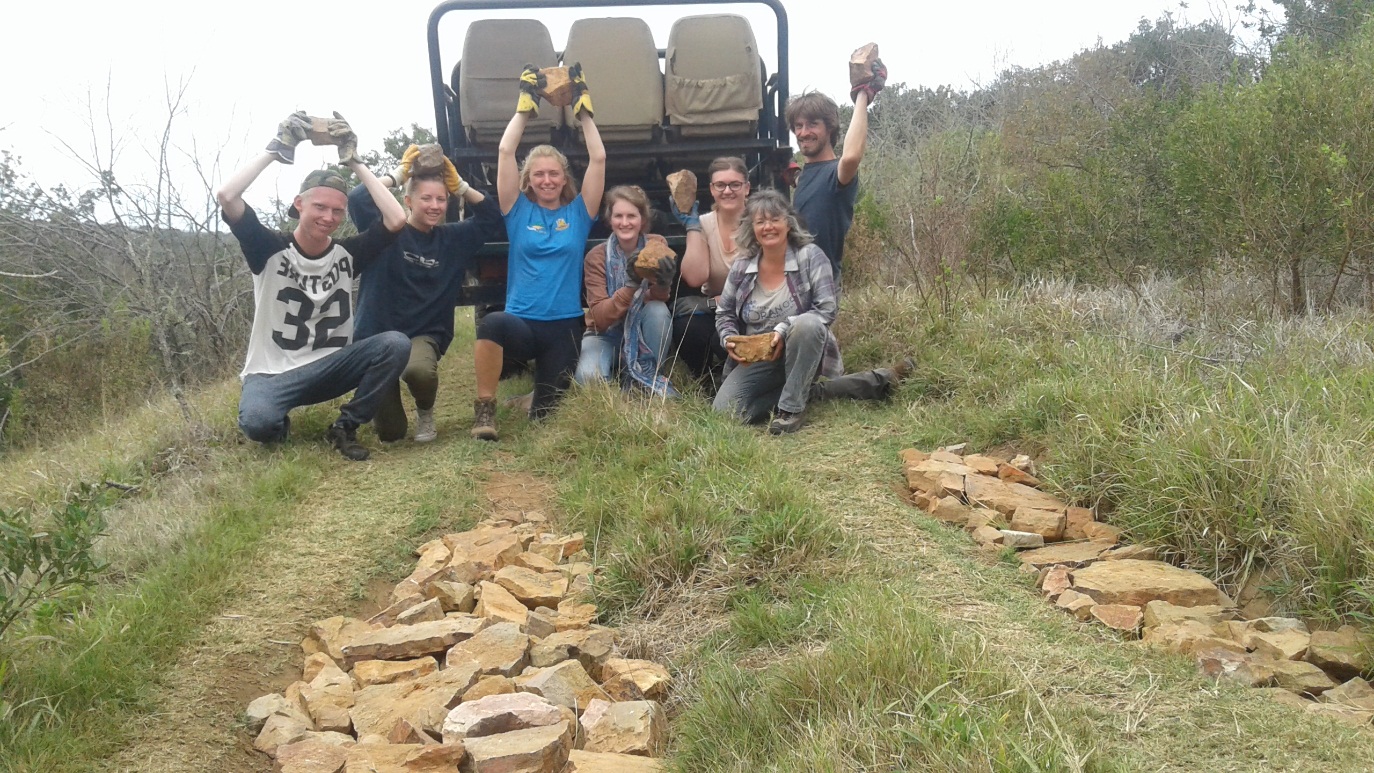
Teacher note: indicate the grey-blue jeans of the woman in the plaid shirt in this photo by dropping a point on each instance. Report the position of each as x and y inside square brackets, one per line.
[754, 392]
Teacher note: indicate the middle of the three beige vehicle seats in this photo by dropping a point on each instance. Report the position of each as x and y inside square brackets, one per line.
[620, 62]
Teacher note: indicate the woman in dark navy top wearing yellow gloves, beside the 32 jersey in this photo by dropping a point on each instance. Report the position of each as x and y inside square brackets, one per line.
[416, 284]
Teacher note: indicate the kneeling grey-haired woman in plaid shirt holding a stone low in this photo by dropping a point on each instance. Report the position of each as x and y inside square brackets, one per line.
[782, 286]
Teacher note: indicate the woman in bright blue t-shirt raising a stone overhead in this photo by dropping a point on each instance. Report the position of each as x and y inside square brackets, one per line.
[548, 224]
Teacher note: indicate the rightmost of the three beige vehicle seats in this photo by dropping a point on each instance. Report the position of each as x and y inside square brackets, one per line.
[714, 82]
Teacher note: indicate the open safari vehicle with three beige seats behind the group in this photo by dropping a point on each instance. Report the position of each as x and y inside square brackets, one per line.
[708, 94]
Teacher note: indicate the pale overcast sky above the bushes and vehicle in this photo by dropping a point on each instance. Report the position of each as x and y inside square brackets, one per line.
[251, 62]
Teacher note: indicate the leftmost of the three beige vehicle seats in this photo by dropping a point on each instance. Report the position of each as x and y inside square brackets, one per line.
[495, 51]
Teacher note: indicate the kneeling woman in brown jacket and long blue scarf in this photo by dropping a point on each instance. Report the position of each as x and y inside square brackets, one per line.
[627, 319]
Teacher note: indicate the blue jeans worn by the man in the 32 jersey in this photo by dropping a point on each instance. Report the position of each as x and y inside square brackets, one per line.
[370, 367]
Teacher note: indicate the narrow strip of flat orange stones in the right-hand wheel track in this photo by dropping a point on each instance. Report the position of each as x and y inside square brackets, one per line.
[1082, 568]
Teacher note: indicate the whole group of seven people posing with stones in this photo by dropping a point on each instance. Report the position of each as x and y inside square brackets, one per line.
[374, 311]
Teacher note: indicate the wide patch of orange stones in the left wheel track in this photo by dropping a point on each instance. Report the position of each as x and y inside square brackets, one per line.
[486, 661]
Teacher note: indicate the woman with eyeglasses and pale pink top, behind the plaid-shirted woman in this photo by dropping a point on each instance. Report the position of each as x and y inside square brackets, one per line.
[707, 260]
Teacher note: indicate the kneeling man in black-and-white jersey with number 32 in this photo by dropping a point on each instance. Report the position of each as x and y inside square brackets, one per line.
[302, 351]
